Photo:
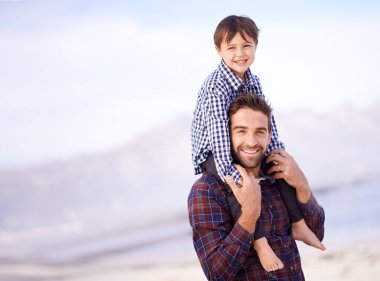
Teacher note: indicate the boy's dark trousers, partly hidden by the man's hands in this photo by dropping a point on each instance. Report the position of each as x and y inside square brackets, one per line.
[287, 192]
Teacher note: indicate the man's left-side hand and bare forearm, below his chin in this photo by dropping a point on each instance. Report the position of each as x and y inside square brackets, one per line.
[249, 197]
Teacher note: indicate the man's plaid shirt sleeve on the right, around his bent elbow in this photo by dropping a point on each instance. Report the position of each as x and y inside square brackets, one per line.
[314, 216]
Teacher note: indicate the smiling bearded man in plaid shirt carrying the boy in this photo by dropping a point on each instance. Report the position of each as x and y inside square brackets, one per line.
[224, 244]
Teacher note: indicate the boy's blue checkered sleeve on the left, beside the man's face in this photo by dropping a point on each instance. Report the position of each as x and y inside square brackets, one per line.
[216, 113]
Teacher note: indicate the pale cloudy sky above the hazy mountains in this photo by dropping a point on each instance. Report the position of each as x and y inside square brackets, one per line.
[87, 76]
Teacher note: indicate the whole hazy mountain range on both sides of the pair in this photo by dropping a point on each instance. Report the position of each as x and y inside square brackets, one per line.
[151, 175]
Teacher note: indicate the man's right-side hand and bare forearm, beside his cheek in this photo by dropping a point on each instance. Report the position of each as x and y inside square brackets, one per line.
[285, 167]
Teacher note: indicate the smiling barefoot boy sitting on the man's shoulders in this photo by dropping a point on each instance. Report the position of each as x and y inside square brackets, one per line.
[235, 39]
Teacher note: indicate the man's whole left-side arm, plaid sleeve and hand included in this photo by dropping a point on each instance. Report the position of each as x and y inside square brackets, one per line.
[222, 247]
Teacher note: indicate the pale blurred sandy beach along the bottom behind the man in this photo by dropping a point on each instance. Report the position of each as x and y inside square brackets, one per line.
[360, 262]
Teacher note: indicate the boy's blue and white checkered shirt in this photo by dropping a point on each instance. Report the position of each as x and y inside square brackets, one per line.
[209, 130]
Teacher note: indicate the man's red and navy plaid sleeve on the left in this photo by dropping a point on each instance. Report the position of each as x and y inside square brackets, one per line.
[222, 248]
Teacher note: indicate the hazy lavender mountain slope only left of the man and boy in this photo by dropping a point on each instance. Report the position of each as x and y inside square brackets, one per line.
[151, 174]
